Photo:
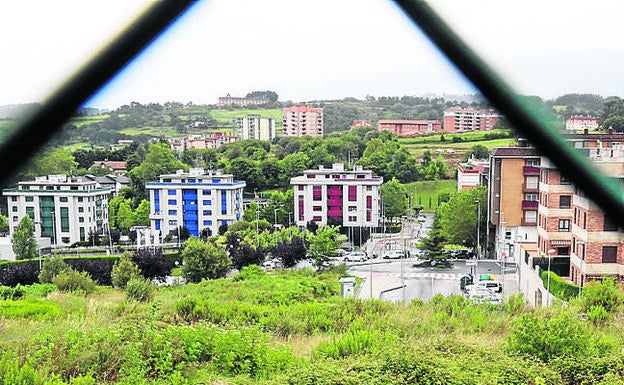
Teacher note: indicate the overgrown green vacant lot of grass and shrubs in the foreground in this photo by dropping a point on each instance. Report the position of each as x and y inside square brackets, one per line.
[292, 328]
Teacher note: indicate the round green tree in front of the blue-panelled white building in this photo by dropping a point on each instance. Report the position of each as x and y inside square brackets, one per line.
[204, 260]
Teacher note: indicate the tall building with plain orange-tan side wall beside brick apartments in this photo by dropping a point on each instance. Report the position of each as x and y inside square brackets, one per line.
[513, 193]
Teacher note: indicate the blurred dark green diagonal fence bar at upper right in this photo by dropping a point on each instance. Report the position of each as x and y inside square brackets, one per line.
[604, 191]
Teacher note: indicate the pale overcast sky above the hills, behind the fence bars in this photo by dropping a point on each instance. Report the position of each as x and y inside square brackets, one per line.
[325, 49]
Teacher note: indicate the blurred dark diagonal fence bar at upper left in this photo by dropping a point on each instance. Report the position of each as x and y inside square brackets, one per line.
[37, 128]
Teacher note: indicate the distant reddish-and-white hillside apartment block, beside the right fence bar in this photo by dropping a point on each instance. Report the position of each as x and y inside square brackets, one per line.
[459, 119]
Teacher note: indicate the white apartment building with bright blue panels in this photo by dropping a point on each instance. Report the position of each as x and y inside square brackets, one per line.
[197, 200]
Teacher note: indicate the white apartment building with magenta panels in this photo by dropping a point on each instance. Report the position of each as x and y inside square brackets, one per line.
[337, 196]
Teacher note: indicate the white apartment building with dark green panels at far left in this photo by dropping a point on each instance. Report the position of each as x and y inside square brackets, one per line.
[64, 209]
